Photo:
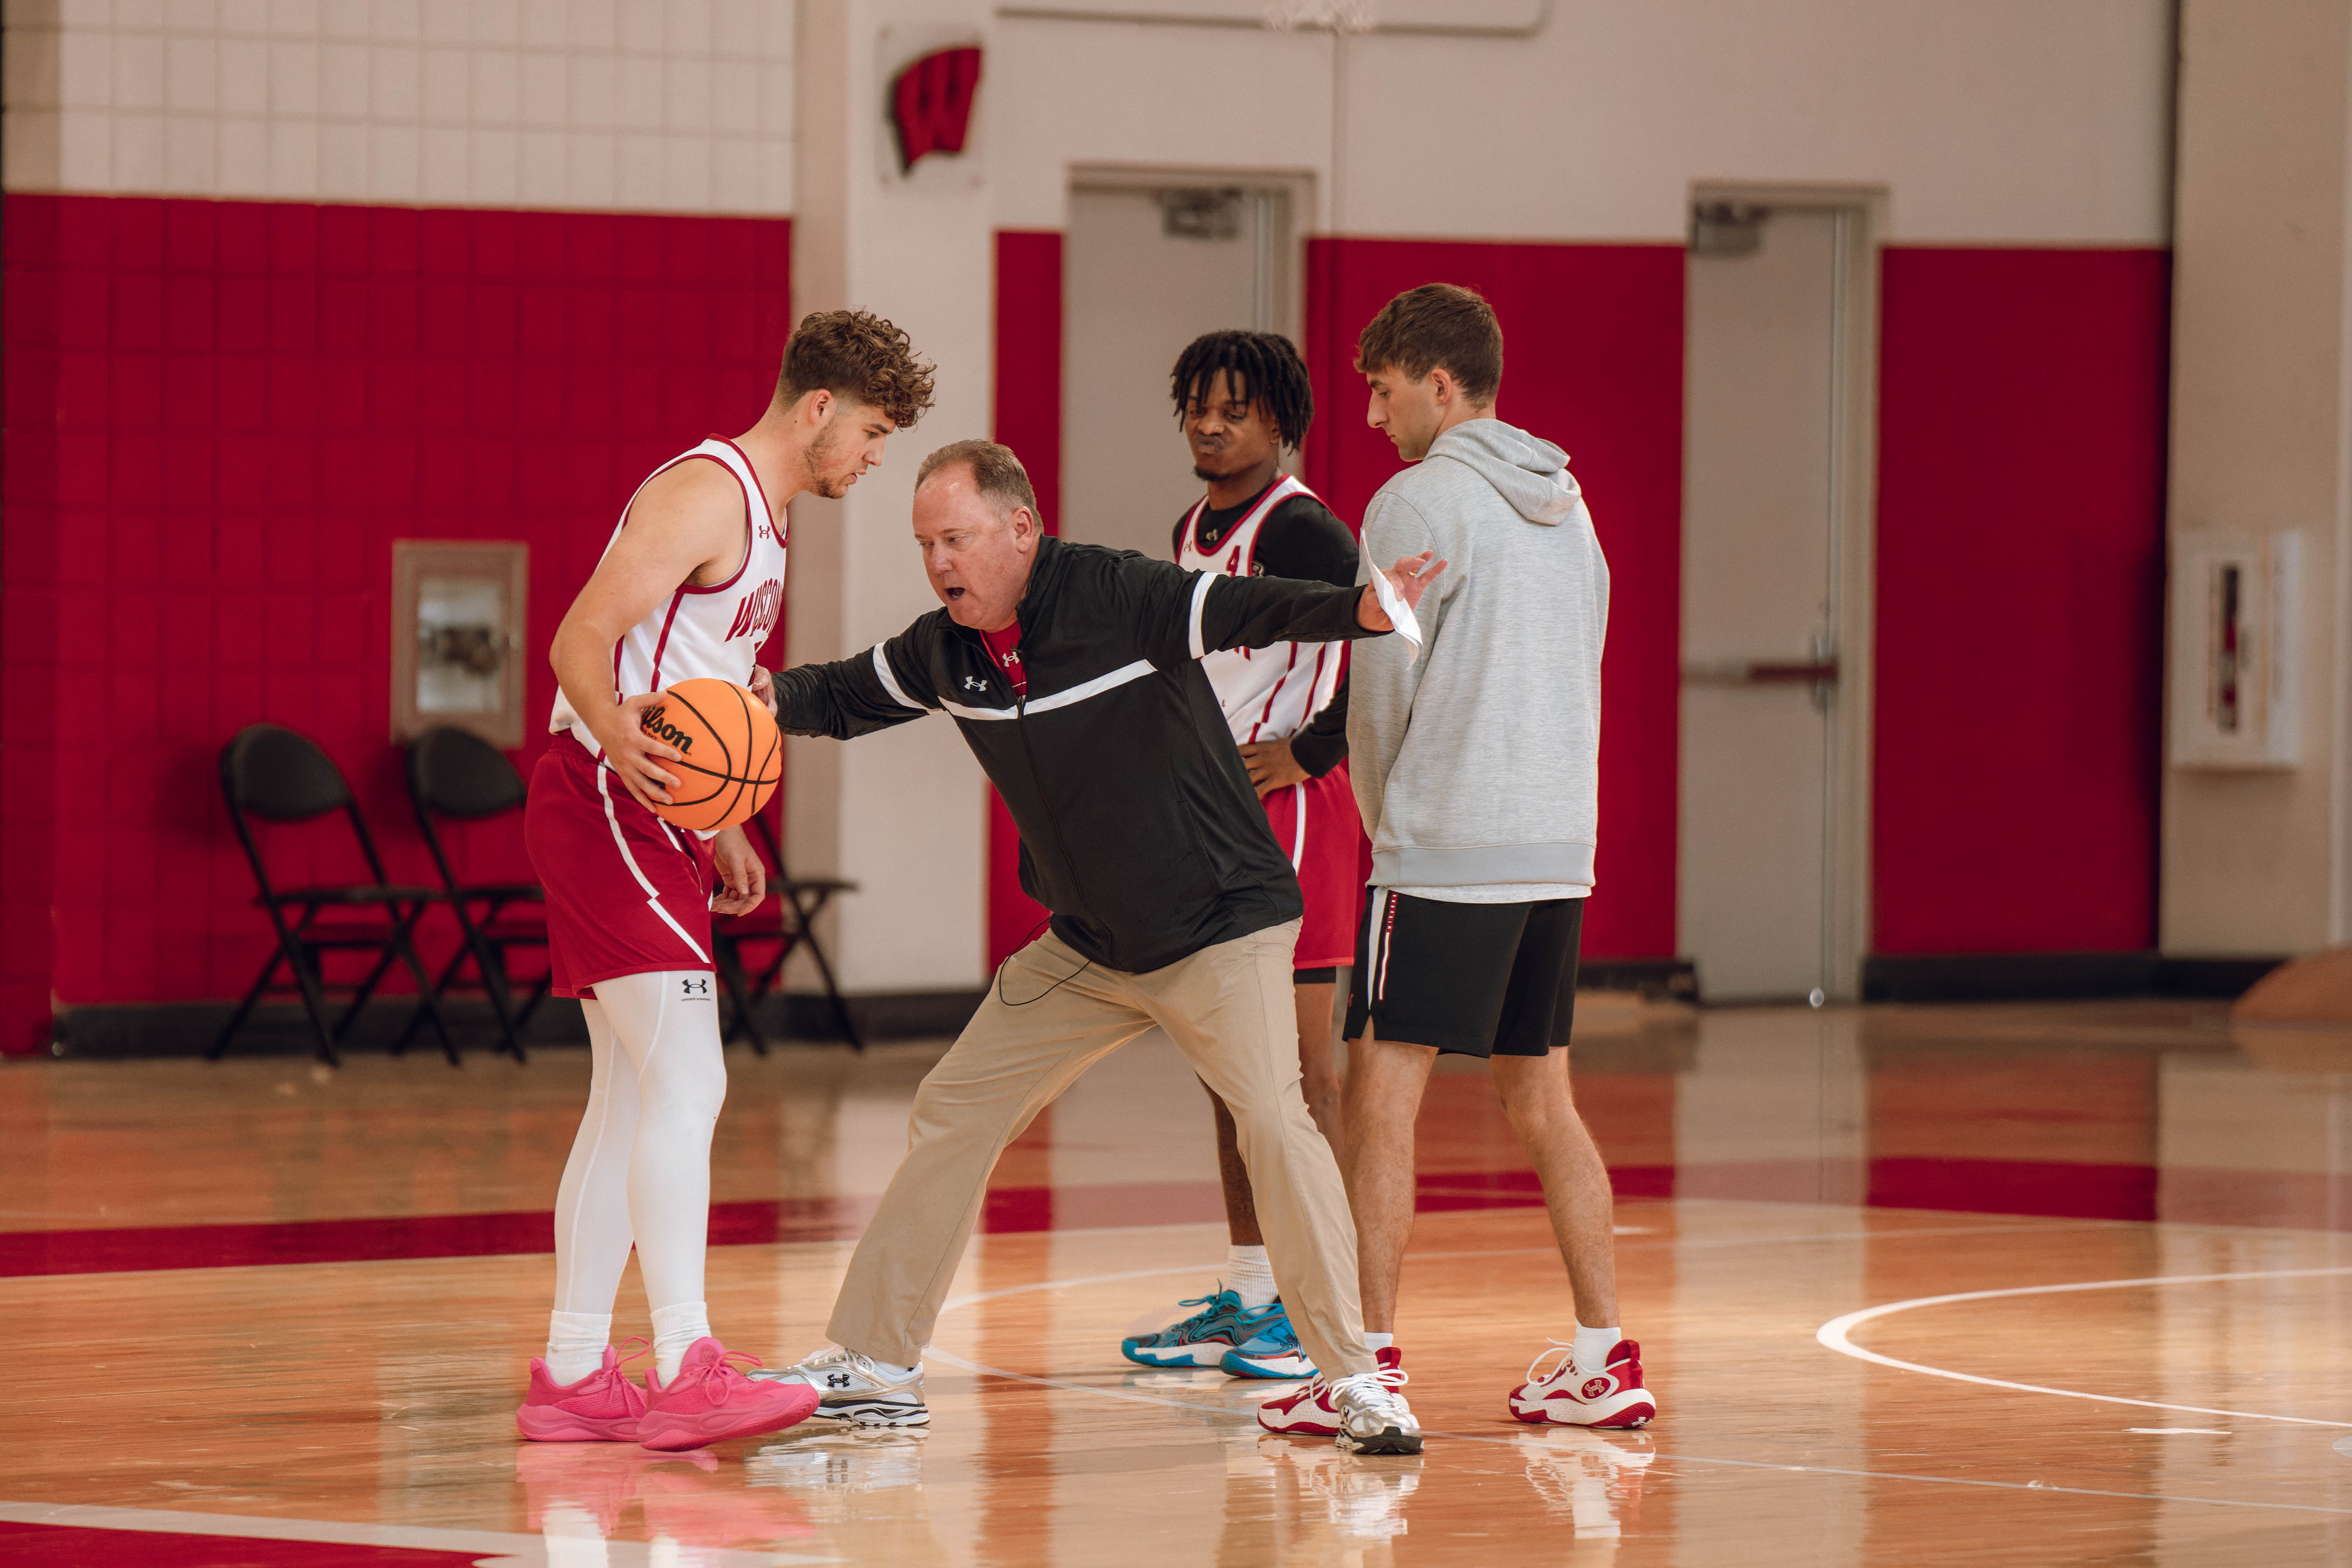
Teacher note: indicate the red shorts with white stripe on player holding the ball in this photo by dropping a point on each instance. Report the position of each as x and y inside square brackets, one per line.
[627, 892]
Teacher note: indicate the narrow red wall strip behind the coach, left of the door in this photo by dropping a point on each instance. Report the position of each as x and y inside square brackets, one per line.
[1029, 422]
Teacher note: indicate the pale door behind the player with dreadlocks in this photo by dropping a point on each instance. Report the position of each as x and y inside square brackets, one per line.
[1144, 274]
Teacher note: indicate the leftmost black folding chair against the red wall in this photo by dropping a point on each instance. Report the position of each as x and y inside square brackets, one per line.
[279, 777]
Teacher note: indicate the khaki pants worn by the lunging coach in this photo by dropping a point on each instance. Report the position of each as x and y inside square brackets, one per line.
[1045, 1021]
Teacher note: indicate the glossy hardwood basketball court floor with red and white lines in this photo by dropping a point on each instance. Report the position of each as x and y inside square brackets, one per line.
[2062, 1285]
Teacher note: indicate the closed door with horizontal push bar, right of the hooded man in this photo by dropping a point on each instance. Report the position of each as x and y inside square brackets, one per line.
[1765, 431]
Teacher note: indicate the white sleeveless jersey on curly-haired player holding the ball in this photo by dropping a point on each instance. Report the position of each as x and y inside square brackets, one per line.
[700, 631]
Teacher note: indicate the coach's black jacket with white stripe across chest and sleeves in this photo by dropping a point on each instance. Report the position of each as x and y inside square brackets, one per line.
[1140, 829]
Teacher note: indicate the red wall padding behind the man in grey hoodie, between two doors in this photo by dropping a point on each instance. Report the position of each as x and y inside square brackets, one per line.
[1593, 363]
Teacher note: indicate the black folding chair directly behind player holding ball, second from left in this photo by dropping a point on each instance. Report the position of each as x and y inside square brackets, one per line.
[460, 775]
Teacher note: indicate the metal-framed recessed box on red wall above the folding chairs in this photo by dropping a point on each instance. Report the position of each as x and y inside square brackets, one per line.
[457, 636]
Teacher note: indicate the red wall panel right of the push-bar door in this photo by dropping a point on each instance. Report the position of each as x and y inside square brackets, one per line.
[2019, 601]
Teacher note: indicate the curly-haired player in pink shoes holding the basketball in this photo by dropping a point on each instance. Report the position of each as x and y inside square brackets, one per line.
[688, 589]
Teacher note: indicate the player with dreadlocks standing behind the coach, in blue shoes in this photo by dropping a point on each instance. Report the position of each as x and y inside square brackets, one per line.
[1243, 398]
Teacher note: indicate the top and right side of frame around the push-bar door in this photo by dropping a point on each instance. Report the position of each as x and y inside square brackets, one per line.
[1862, 222]
